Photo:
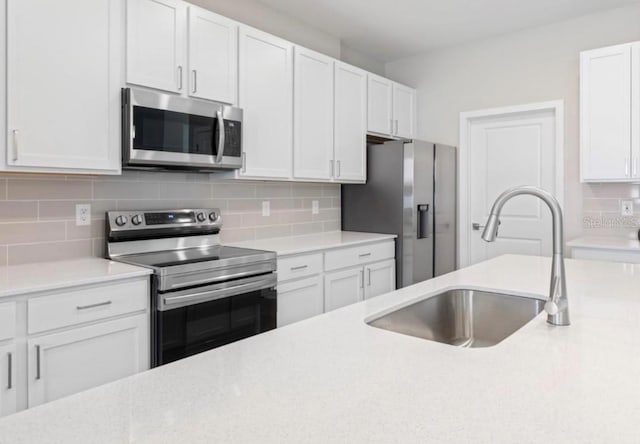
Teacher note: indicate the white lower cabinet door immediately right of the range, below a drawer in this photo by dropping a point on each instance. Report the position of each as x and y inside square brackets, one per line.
[300, 300]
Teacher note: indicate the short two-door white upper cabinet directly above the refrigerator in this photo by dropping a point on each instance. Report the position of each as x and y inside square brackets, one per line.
[391, 108]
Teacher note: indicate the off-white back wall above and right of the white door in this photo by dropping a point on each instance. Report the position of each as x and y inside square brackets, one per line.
[532, 65]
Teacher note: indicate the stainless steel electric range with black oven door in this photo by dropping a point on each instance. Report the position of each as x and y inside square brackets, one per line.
[203, 294]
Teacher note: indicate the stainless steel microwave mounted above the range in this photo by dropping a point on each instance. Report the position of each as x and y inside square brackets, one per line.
[163, 131]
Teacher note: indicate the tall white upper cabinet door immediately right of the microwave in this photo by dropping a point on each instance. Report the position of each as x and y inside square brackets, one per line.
[266, 90]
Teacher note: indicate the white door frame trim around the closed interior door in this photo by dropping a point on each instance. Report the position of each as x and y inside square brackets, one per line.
[464, 167]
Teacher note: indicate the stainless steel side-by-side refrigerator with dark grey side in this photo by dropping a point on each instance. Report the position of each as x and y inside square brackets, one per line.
[410, 192]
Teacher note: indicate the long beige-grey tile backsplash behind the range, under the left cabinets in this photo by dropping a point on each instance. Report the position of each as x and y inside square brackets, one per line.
[37, 212]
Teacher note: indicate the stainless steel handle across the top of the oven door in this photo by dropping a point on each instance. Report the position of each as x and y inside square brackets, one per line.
[233, 288]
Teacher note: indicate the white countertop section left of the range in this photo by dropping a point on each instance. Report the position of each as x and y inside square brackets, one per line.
[45, 276]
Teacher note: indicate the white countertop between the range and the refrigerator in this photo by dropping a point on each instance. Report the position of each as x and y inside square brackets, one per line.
[313, 242]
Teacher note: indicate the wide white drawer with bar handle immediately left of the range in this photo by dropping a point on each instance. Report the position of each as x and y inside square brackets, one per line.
[85, 305]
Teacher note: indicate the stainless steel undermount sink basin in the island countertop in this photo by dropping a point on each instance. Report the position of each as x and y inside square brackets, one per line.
[462, 317]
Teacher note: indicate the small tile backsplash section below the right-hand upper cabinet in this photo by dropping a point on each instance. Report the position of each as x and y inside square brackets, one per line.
[601, 212]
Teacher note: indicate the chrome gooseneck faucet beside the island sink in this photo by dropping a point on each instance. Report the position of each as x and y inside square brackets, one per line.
[557, 306]
